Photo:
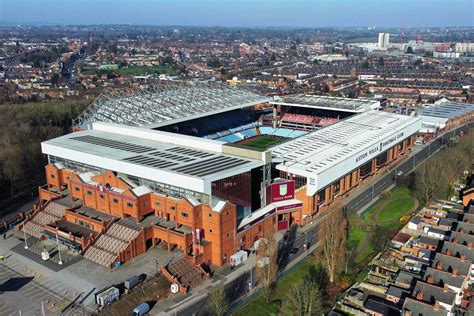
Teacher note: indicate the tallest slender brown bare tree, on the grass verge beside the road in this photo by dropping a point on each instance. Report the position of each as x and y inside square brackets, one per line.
[332, 235]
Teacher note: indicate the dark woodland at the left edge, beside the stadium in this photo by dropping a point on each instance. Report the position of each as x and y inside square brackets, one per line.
[24, 127]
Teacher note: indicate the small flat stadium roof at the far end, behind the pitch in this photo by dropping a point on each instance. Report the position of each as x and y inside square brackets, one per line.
[327, 103]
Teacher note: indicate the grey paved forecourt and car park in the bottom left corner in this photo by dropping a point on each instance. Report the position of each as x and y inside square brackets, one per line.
[27, 281]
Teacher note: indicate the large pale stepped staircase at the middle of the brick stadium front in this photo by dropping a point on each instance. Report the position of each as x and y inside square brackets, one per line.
[110, 244]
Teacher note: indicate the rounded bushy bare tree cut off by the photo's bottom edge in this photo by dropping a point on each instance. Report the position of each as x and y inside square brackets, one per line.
[304, 298]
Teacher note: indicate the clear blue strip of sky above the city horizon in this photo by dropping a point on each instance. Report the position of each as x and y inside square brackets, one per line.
[231, 13]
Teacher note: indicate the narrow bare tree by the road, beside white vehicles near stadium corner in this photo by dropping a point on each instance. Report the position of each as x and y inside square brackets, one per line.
[267, 266]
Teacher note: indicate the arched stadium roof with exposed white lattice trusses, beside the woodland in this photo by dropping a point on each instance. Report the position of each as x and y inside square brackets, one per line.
[166, 104]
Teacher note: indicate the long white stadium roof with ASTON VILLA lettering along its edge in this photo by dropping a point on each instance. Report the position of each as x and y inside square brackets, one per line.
[330, 153]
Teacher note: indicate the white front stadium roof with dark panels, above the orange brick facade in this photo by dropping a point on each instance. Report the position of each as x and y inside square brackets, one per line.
[175, 160]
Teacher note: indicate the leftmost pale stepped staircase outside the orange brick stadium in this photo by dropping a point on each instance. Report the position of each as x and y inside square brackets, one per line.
[48, 214]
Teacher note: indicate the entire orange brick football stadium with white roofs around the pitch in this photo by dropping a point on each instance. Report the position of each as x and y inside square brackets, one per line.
[206, 168]
